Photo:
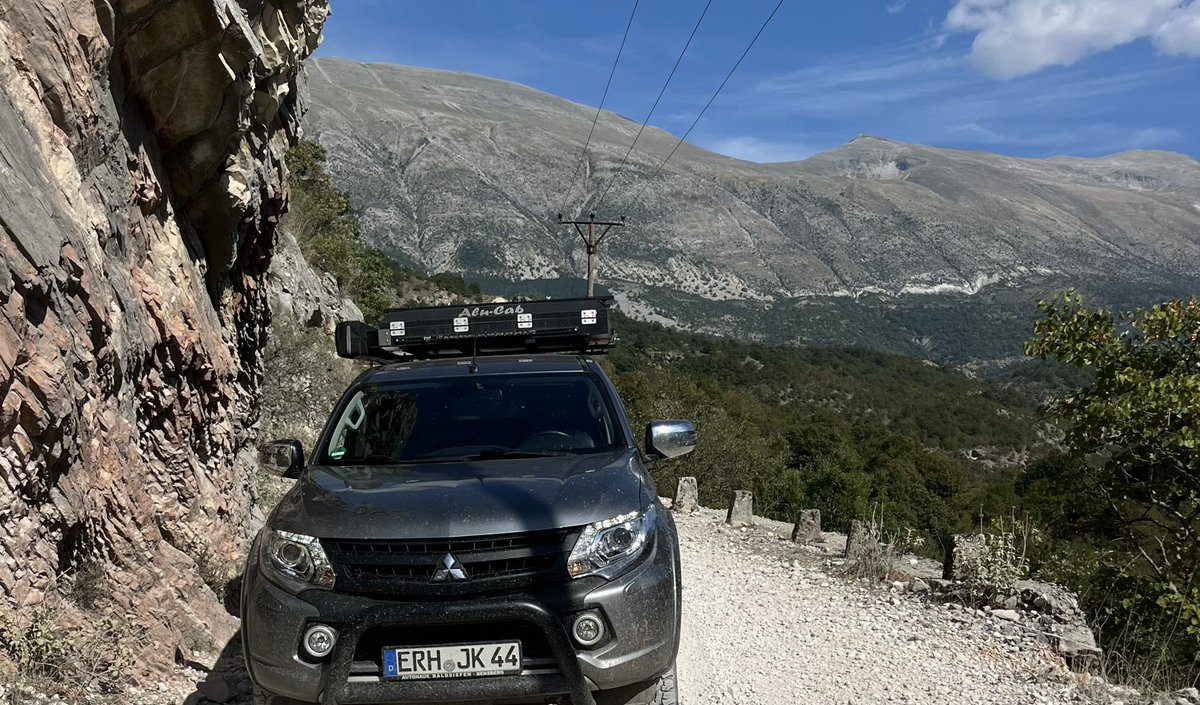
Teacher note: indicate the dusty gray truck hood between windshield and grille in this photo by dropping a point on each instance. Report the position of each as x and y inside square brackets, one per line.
[448, 501]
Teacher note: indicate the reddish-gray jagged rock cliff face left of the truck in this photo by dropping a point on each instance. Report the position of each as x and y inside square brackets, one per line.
[141, 182]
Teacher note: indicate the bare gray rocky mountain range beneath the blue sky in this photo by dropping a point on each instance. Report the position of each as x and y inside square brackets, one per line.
[466, 173]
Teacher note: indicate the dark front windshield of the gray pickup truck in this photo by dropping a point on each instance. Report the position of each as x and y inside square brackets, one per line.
[473, 418]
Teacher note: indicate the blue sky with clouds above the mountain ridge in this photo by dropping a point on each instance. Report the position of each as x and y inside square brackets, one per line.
[1030, 79]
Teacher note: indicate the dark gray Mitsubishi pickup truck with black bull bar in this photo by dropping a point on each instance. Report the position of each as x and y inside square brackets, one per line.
[471, 531]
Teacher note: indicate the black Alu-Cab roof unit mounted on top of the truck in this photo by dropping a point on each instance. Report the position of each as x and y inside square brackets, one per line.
[555, 326]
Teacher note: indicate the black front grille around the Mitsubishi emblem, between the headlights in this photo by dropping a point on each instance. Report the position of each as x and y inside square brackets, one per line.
[406, 568]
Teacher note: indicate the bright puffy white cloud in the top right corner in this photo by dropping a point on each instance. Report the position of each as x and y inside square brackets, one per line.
[1017, 38]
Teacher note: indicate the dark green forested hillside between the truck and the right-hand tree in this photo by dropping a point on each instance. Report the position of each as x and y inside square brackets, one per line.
[845, 431]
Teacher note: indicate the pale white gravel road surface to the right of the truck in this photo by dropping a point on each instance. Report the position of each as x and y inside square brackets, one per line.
[767, 624]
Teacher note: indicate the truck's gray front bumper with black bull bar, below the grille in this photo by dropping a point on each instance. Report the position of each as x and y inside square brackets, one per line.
[641, 610]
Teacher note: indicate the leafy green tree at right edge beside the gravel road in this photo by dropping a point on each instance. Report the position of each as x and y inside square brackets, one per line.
[1135, 435]
